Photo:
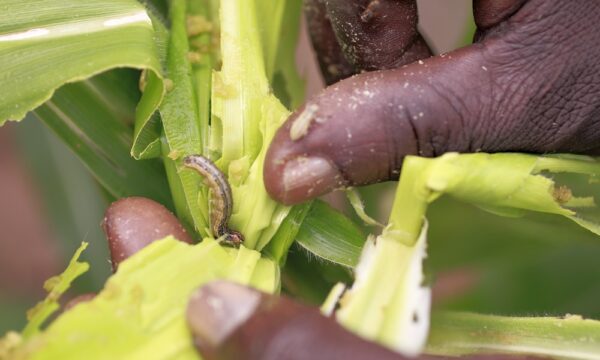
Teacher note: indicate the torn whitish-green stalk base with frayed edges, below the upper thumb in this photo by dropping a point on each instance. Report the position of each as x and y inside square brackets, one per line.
[388, 302]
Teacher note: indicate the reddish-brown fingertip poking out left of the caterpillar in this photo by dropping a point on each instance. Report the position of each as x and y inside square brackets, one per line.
[132, 223]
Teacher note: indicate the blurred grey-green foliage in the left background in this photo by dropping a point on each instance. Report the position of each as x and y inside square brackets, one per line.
[73, 216]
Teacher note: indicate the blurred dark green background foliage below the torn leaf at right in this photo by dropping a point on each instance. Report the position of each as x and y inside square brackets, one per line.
[536, 265]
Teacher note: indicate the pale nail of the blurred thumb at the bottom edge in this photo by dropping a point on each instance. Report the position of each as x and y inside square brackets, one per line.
[216, 310]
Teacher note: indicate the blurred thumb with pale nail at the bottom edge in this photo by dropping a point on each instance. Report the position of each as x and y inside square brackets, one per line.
[230, 321]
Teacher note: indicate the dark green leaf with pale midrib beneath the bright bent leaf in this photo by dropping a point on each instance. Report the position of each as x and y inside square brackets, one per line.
[91, 128]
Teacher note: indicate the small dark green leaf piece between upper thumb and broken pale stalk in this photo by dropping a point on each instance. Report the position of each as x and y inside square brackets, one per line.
[330, 235]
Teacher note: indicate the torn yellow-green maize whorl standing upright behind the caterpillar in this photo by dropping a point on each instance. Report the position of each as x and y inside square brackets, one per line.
[244, 113]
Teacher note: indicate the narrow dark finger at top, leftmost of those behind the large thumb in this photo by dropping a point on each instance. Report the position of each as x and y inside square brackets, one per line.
[332, 62]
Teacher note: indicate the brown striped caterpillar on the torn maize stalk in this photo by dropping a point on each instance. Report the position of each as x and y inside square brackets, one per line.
[221, 201]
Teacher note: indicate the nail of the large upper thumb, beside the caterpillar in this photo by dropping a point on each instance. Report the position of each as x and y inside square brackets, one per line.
[308, 177]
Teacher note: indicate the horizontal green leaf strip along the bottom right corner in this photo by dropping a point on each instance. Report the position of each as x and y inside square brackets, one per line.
[456, 334]
